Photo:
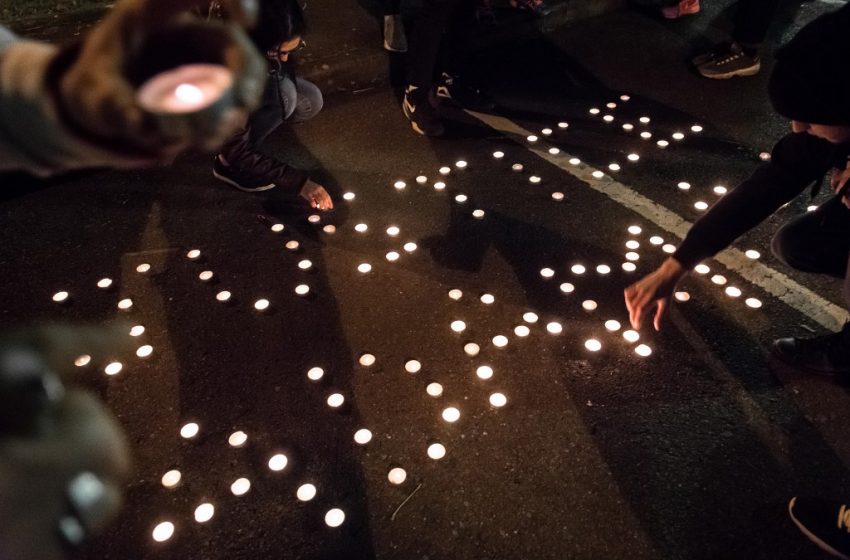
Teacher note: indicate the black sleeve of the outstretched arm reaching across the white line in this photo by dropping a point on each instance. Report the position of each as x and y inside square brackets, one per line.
[797, 161]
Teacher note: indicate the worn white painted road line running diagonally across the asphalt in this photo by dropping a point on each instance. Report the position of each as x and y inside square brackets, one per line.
[795, 295]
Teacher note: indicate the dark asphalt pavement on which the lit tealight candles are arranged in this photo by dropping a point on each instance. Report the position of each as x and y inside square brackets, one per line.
[690, 453]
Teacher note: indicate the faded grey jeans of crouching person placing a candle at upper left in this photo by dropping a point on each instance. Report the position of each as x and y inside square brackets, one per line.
[284, 100]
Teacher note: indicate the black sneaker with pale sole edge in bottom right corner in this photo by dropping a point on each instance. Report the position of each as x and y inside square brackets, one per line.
[827, 524]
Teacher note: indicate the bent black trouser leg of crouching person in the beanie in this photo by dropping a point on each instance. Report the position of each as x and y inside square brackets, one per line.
[818, 242]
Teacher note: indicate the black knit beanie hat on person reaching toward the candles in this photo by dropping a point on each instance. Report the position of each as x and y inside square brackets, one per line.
[811, 79]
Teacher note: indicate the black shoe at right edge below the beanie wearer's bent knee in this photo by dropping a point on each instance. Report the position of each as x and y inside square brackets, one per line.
[826, 355]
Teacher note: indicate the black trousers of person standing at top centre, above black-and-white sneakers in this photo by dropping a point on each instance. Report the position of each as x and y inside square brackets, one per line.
[442, 30]
